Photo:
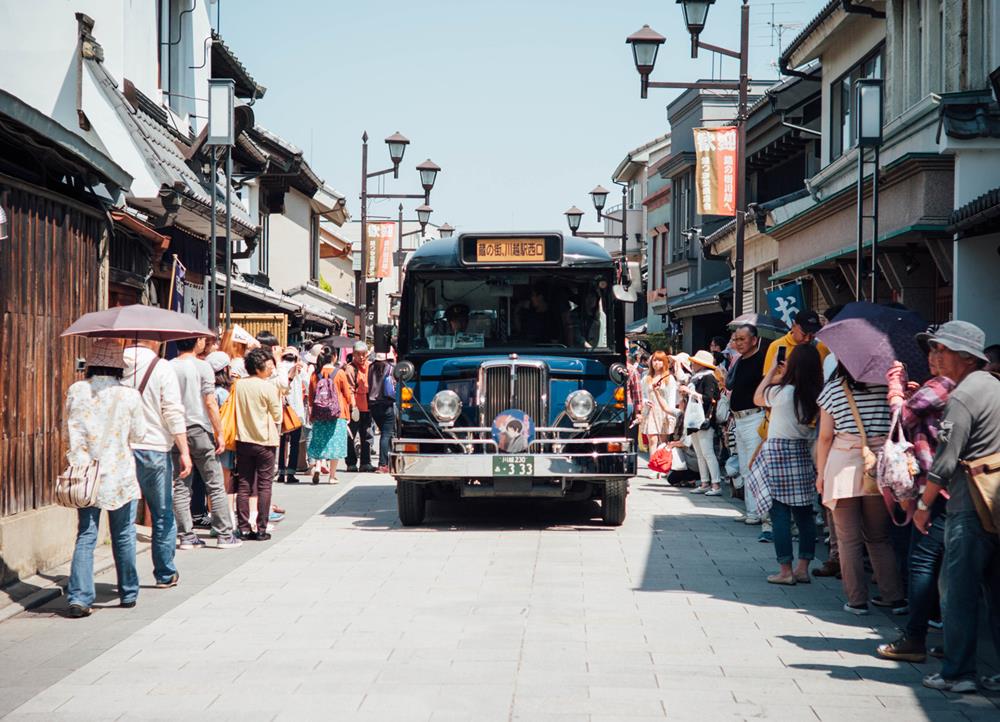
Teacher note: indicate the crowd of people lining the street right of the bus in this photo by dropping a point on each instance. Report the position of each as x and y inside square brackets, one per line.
[799, 439]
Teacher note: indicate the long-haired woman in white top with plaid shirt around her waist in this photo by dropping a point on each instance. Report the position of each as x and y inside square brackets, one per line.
[783, 470]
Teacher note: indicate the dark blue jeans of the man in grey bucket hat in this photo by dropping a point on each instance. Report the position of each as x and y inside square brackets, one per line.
[971, 568]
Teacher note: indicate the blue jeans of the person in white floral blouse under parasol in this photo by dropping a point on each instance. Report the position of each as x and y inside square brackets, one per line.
[81, 576]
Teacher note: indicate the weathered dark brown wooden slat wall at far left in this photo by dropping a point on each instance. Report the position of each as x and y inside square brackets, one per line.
[49, 276]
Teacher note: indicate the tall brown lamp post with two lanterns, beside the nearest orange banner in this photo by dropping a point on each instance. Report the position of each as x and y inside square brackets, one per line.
[645, 45]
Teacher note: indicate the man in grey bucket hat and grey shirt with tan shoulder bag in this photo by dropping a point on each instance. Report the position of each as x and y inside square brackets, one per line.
[970, 431]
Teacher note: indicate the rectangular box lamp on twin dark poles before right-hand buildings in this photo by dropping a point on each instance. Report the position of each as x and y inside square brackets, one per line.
[868, 102]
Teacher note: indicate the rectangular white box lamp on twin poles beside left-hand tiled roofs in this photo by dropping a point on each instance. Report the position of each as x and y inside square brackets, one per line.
[221, 132]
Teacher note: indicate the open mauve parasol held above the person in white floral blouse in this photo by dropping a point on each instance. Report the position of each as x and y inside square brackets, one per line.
[147, 323]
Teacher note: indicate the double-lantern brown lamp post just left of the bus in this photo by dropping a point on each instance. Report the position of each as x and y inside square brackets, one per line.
[367, 308]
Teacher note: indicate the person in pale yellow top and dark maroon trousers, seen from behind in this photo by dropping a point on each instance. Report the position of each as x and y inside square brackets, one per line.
[258, 413]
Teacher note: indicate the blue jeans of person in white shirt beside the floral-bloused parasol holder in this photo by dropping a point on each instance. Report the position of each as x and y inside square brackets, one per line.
[155, 472]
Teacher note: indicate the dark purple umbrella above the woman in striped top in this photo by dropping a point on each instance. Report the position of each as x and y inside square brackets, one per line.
[868, 338]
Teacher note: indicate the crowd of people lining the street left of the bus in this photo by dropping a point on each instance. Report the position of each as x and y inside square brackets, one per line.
[202, 438]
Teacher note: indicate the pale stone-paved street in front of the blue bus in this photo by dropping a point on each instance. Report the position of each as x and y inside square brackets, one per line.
[490, 612]
